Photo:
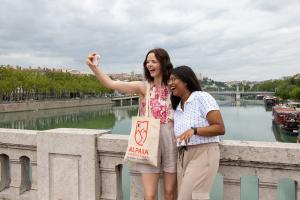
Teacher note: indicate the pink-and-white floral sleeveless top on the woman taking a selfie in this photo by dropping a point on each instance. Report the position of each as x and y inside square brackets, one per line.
[160, 104]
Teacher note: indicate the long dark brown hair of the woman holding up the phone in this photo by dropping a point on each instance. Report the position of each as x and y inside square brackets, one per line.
[165, 63]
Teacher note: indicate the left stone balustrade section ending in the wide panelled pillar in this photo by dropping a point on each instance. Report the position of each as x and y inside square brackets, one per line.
[52, 164]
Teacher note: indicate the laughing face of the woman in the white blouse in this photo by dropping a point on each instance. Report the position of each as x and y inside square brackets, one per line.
[177, 86]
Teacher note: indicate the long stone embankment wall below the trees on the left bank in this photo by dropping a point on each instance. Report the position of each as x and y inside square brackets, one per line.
[55, 104]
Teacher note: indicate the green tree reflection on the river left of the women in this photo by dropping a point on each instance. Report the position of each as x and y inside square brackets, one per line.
[94, 117]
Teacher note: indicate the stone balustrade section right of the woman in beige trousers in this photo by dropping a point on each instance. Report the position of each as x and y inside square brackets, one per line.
[269, 161]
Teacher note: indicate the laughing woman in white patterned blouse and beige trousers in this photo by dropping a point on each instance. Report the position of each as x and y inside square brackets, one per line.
[197, 126]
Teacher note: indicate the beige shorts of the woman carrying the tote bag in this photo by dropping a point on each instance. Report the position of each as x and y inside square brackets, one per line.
[167, 153]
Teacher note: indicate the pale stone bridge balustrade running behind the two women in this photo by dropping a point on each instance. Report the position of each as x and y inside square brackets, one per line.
[77, 164]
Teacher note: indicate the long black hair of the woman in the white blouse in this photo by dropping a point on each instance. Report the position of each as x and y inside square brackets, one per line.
[186, 75]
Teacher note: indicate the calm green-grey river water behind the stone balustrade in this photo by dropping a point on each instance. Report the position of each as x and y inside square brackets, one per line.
[243, 122]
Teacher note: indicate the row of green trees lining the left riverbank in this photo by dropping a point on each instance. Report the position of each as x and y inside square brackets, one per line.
[18, 84]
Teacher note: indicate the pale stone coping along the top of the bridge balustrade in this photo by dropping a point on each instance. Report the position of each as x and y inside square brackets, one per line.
[252, 151]
